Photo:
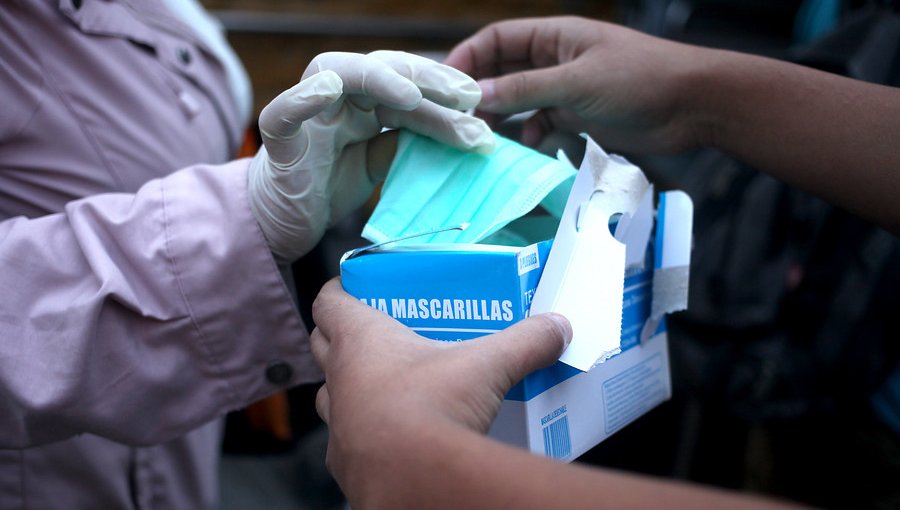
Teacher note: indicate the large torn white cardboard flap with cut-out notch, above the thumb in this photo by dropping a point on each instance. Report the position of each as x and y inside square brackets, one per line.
[584, 275]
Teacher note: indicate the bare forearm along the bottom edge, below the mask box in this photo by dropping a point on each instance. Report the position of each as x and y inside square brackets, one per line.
[449, 467]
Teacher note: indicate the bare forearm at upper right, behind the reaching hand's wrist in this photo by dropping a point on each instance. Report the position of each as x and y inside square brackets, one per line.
[829, 135]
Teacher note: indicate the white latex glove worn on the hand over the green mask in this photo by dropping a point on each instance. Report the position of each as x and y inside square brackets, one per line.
[312, 171]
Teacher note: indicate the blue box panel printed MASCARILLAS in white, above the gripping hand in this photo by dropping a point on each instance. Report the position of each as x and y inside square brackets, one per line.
[452, 293]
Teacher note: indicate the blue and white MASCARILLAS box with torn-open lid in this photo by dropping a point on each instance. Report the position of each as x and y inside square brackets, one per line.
[615, 267]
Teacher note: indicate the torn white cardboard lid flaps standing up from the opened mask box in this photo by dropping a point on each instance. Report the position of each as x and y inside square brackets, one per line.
[584, 275]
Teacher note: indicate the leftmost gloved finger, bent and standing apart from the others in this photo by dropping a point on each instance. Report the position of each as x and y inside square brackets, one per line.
[281, 120]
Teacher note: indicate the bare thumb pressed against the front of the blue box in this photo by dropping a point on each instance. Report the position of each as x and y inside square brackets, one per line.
[528, 345]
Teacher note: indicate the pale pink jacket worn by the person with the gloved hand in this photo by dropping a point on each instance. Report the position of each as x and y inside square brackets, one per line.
[138, 302]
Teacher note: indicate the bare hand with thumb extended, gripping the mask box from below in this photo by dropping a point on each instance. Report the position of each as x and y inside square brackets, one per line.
[384, 382]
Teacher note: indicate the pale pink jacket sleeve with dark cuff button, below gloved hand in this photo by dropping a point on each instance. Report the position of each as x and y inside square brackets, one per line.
[138, 317]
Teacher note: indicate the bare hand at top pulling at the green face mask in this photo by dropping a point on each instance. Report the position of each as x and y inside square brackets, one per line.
[625, 88]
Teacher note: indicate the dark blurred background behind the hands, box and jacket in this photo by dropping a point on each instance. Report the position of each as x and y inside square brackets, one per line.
[789, 336]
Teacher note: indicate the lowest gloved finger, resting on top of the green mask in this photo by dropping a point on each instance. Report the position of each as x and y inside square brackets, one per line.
[451, 127]
